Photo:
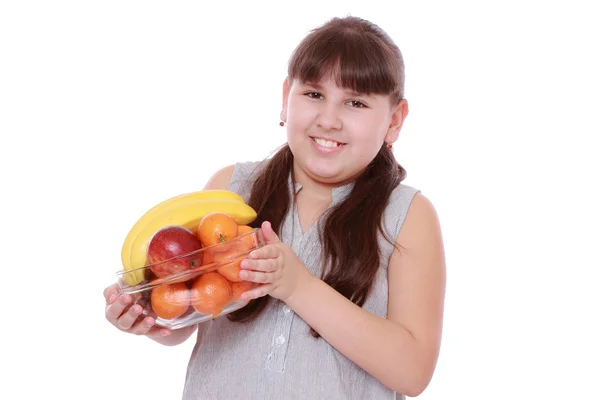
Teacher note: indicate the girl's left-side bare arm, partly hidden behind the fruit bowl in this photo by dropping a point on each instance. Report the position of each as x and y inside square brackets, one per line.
[127, 318]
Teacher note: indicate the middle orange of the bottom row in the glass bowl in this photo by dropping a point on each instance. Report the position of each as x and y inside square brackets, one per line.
[210, 293]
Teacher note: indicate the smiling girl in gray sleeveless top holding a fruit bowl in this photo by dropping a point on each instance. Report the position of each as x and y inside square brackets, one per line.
[352, 275]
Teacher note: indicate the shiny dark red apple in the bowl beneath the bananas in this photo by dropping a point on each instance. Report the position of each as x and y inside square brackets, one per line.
[170, 244]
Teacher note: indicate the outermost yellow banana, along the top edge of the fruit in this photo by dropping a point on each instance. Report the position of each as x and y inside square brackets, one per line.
[136, 276]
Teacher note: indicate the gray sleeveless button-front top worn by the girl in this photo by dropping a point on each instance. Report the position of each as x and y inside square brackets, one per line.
[274, 356]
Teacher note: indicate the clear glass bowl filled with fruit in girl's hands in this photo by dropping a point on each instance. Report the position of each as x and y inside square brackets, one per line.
[206, 286]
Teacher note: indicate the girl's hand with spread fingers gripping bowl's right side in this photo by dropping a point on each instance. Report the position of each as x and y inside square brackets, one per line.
[275, 266]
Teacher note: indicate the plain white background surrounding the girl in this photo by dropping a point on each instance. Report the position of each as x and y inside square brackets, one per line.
[108, 107]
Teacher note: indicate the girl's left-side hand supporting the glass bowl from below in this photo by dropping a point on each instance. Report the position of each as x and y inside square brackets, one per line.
[129, 318]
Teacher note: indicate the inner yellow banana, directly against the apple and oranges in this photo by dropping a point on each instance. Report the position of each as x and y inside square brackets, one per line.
[187, 215]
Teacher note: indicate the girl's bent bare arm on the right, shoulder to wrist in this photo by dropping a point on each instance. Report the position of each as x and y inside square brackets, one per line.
[402, 350]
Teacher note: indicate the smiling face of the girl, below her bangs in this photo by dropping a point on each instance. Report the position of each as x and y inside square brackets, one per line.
[335, 133]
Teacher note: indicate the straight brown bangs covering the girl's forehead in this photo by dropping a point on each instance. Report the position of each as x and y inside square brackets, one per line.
[357, 61]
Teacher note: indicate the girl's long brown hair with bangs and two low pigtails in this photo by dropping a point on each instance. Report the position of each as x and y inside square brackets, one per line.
[360, 57]
